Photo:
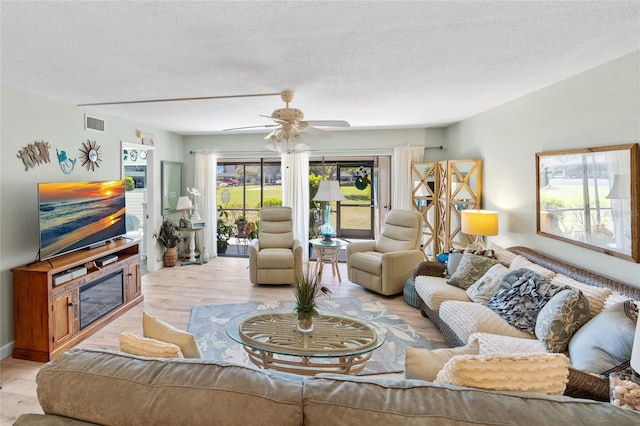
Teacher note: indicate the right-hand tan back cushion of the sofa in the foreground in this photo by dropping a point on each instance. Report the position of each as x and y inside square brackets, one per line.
[349, 400]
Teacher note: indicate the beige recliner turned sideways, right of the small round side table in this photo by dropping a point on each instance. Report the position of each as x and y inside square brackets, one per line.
[385, 265]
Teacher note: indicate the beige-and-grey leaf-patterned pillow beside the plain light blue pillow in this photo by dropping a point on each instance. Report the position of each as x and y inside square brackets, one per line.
[565, 313]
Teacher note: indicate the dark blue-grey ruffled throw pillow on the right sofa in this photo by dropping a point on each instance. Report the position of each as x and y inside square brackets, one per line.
[521, 296]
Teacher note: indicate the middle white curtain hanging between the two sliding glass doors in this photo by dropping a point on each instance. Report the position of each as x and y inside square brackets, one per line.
[295, 194]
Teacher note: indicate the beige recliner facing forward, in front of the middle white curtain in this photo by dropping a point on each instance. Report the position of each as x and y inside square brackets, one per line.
[275, 257]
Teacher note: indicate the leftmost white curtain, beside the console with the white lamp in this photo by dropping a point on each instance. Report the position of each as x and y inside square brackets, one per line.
[205, 182]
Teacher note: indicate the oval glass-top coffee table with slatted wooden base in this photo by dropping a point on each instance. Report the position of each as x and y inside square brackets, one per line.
[337, 344]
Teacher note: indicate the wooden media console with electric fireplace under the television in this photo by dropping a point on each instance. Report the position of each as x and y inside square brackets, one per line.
[46, 317]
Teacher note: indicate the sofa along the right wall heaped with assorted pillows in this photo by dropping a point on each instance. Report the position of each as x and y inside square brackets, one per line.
[585, 315]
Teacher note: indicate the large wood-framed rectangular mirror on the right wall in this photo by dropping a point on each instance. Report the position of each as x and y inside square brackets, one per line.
[589, 197]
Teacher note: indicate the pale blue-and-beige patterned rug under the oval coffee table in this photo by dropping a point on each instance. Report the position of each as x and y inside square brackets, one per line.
[207, 324]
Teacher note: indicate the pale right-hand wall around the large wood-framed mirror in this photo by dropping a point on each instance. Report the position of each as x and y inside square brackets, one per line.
[597, 108]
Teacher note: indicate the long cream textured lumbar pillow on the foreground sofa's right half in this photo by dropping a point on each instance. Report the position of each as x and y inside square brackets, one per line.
[534, 373]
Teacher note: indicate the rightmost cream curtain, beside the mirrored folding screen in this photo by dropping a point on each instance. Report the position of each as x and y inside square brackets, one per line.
[401, 183]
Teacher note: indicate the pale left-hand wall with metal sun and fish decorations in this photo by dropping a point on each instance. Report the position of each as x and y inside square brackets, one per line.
[26, 118]
